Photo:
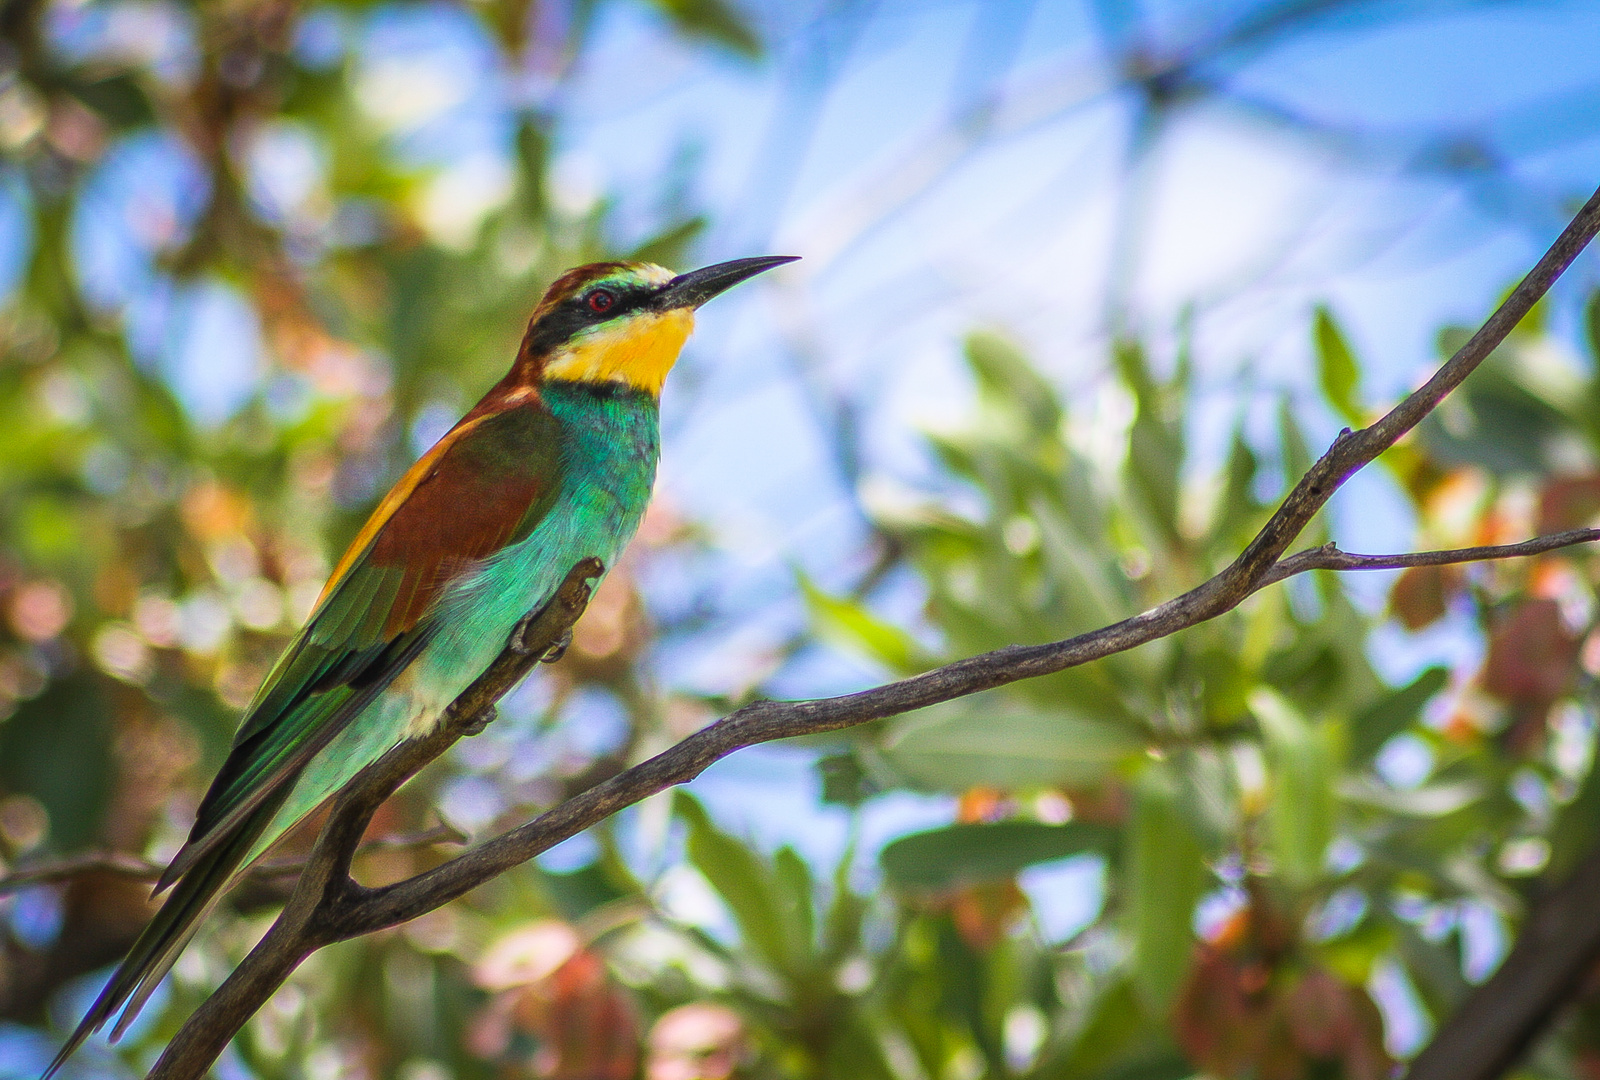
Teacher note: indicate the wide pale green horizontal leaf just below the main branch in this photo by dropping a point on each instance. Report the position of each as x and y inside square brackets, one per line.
[991, 740]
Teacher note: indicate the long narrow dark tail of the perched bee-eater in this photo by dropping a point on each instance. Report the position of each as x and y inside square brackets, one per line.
[175, 924]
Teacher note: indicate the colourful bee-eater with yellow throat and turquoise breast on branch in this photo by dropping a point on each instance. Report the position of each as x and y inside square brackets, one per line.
[553, 466]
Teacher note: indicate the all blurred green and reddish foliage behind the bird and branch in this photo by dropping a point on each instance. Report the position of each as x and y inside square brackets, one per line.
[1284, 841]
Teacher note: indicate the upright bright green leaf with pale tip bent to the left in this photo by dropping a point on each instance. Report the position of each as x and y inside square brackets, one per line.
[1303, 807]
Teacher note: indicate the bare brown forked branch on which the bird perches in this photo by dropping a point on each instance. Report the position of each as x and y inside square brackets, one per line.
[329, 906]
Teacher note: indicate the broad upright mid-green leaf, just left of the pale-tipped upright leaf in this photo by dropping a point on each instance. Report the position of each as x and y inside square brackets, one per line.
[1166, 879]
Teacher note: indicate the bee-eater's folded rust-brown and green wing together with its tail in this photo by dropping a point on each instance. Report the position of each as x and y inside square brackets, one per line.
[482, 487]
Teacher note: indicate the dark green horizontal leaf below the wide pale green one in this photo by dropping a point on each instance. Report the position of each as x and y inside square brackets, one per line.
[970, 854]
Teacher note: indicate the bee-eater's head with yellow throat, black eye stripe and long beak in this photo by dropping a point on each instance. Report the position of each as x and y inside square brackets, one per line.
[625, 322]
